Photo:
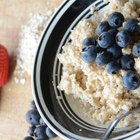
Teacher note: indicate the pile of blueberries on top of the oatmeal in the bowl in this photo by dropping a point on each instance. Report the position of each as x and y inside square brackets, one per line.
[107, 49]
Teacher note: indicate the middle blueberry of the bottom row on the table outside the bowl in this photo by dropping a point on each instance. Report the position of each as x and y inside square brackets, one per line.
[40, 132]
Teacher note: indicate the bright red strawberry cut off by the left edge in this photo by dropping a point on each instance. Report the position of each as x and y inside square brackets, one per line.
[4, 65]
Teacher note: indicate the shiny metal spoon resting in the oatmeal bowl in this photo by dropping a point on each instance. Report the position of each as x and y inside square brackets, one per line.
[113, 124]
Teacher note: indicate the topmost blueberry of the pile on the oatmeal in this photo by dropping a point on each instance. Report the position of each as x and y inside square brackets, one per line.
[115, 19]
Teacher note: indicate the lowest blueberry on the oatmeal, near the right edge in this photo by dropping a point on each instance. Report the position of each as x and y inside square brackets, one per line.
[131, 80]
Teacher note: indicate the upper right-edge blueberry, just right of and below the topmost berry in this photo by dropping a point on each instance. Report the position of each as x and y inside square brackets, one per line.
[131, 26]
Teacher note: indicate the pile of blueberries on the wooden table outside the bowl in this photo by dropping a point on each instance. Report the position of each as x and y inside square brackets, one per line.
[38, 129]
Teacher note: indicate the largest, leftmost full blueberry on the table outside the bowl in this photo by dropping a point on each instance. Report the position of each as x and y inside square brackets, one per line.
[33, 117]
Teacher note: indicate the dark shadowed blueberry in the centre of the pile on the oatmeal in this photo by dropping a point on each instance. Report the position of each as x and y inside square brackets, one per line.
[115, 50]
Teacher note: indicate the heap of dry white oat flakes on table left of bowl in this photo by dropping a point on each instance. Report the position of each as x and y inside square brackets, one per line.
[28, 44]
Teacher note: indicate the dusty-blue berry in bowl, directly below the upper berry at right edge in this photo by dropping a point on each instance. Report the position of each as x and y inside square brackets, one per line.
[123, 38]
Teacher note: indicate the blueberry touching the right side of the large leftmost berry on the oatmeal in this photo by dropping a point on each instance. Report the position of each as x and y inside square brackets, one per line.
[103, 58]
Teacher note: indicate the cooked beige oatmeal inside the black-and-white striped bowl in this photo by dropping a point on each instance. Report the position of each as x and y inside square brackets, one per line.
[104, 93]
